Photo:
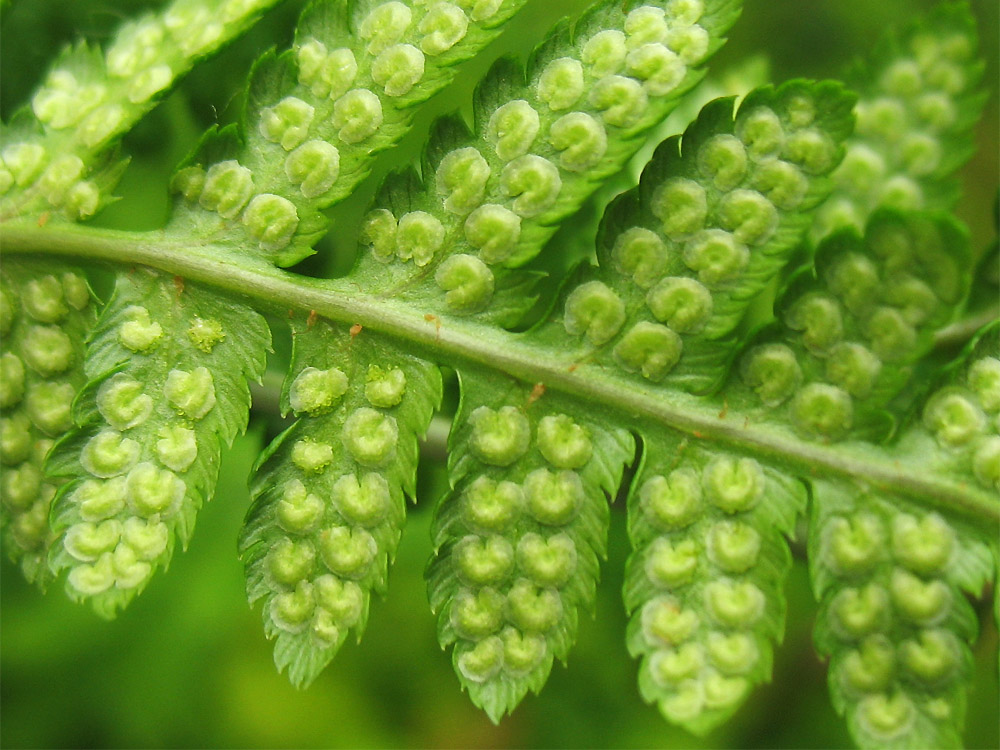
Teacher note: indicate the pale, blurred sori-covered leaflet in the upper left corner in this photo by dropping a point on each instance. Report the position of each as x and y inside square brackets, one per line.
[87, 99]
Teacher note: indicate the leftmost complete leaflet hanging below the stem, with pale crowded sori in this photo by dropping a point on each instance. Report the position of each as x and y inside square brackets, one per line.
[169, 363]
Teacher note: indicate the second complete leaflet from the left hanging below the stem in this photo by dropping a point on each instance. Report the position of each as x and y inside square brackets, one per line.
[329, 491]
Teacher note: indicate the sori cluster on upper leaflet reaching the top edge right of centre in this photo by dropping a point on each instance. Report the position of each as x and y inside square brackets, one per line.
[544, 147]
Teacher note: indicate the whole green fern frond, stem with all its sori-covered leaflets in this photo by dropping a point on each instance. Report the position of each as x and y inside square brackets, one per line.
[737, 211]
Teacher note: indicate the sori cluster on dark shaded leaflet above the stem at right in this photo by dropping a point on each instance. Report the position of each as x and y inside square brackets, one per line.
[850, 334]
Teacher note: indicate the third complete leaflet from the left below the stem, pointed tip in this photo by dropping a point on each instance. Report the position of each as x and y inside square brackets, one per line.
[519, 536]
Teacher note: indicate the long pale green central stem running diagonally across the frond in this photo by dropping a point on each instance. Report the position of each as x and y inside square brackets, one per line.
[457, 342]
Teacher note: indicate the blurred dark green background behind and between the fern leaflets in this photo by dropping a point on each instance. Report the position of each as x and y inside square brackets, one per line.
[187, 665]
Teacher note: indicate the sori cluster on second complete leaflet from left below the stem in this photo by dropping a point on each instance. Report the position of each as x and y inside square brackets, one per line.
[335, 540]
